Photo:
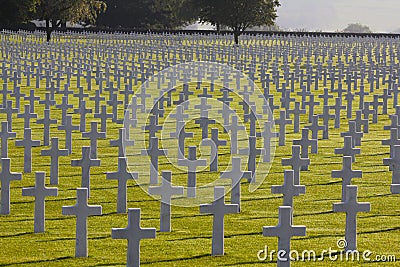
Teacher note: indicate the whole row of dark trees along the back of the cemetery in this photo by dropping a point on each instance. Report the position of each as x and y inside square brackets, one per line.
[237, 15]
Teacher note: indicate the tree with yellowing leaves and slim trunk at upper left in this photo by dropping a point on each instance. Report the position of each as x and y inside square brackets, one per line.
[58, 12]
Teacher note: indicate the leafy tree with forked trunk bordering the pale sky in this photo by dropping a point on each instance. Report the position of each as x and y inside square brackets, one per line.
[238, 15]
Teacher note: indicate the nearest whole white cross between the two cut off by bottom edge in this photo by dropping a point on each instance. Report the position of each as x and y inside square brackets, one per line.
[219, 209]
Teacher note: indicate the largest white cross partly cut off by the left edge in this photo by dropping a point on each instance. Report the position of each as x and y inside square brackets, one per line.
[6, 176]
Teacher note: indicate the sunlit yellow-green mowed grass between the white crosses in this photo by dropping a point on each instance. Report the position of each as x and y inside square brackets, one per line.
[189, 244]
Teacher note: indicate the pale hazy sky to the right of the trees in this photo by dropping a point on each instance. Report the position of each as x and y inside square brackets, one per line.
[331, 15]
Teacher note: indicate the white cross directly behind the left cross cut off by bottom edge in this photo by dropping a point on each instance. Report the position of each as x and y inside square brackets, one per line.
[122, 176]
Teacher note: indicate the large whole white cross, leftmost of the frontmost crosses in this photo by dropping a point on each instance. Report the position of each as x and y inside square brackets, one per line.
[82, 211]
